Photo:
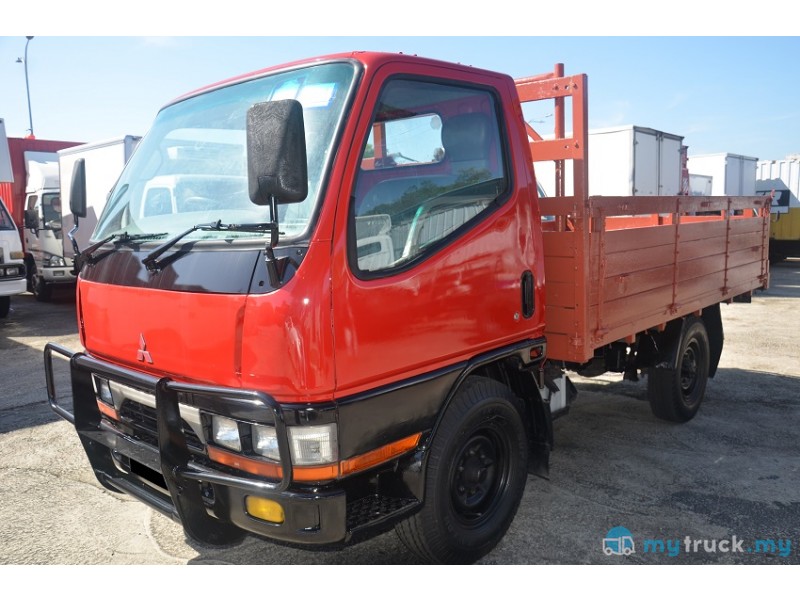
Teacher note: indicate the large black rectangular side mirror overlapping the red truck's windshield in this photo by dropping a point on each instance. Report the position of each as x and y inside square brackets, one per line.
[277, 168]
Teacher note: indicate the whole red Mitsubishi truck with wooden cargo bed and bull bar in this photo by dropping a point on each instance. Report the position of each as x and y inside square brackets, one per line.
[325, 300]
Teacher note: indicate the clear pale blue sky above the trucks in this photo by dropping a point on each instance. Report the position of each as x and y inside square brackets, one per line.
[734, 94]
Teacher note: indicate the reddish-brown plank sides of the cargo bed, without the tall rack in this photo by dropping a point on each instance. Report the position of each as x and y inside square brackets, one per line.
[644, 270]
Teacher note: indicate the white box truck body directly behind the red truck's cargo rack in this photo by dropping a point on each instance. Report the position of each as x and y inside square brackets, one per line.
[629, 160]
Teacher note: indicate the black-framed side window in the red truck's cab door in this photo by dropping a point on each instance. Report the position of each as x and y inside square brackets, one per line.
[432, 163]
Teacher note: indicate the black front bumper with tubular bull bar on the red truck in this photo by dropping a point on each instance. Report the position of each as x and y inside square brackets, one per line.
[170, 471]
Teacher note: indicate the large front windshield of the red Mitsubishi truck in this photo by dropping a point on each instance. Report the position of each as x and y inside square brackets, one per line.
[192, 166]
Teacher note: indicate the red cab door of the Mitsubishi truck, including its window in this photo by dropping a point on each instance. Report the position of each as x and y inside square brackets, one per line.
[431, 248]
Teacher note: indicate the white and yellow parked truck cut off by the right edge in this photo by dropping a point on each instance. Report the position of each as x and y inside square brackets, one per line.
[783, 178]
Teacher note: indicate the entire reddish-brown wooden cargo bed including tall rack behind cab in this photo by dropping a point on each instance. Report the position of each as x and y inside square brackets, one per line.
[617, 266]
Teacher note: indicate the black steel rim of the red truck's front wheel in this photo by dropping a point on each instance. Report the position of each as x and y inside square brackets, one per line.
[480, 476]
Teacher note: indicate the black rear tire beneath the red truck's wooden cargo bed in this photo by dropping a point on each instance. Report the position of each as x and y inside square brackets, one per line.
[675, 393]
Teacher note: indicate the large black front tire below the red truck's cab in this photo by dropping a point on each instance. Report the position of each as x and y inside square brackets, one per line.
[476, 474]
